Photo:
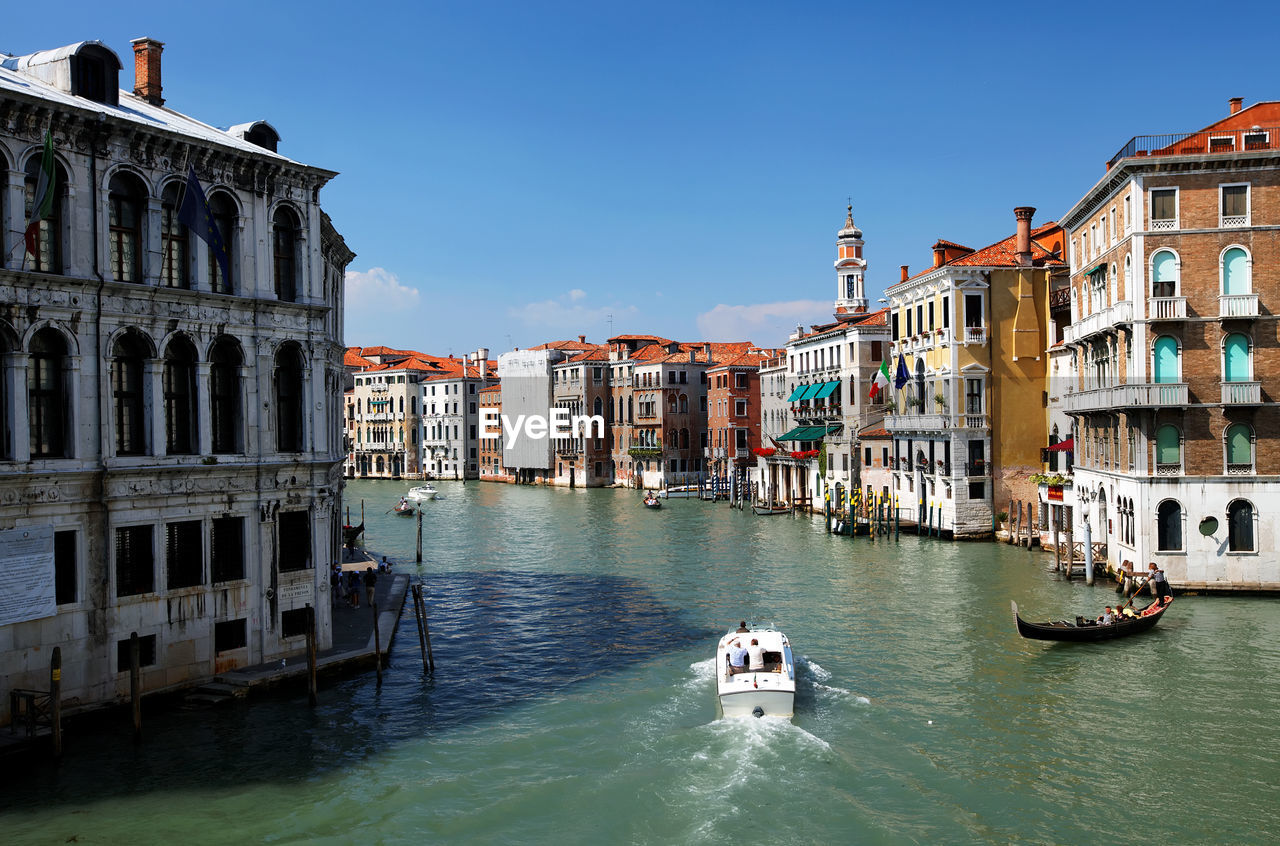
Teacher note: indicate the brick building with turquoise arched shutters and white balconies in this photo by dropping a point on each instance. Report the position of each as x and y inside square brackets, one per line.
[1176, 278]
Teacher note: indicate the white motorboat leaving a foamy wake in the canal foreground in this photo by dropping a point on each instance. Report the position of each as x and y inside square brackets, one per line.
[769, 692]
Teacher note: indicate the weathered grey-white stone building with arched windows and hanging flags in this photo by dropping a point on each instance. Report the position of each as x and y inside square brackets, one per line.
[173, 424]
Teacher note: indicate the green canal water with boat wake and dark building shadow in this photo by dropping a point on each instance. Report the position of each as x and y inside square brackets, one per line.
[574, 702]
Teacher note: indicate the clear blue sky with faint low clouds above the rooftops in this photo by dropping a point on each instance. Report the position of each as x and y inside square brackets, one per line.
[515, 173]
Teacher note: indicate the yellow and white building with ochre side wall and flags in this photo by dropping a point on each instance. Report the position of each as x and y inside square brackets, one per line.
[971, 339]
